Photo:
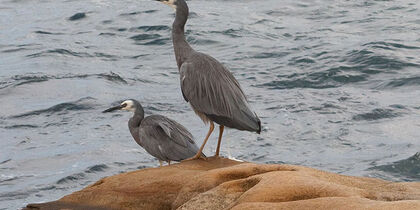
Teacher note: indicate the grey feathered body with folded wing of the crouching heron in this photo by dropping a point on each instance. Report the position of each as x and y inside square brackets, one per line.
[166, 139]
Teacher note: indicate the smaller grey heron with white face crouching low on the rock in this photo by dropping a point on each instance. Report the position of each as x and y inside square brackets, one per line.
[160, 136]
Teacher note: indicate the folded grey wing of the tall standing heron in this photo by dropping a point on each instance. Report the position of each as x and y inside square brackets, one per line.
[211, 88]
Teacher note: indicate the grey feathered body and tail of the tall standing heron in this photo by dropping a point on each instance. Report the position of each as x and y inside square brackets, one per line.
[211, 89]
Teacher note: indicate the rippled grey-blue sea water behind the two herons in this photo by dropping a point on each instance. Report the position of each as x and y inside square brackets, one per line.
[336, 84]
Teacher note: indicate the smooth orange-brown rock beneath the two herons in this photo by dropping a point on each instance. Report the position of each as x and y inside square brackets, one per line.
[227, 184]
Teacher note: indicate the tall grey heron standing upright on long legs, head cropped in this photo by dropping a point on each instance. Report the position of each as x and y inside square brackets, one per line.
[212, 91]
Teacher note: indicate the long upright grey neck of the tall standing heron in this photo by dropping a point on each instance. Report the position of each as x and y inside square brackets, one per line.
[181, 47]
